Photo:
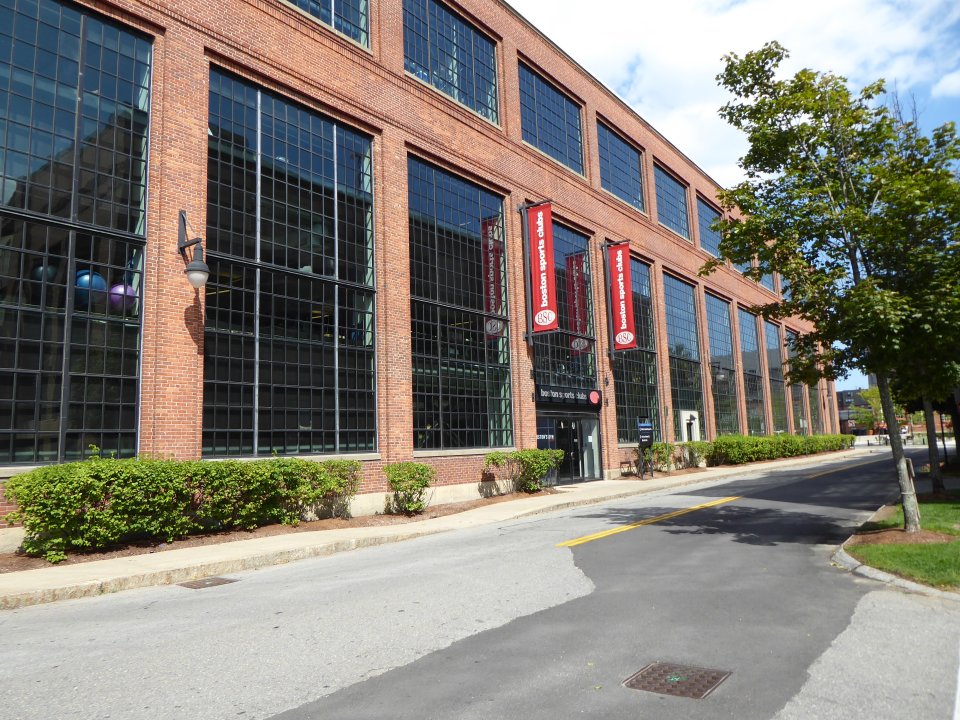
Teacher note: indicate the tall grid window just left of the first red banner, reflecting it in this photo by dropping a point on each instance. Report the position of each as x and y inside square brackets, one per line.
[460, 331]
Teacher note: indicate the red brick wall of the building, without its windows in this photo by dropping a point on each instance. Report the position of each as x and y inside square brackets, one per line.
[282, 49]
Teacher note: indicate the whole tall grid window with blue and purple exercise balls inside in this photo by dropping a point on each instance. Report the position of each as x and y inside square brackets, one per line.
[74, 114]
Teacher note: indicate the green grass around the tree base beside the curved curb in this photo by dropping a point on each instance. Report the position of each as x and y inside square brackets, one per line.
[936, 564]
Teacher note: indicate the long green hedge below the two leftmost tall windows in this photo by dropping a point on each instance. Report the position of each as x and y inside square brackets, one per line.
[103, 502]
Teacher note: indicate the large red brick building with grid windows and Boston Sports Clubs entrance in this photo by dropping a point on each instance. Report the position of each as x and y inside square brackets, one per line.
[356, 172]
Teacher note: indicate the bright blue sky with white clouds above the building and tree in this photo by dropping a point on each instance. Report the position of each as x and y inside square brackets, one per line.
[662, 58]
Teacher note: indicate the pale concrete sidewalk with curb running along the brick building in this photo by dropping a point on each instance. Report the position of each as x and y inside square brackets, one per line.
[43, 585]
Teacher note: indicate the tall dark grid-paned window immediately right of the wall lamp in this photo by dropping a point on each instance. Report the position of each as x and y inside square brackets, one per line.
[289, 338]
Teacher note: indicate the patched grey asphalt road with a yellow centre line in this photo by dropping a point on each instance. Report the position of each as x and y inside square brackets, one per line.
[508, 622]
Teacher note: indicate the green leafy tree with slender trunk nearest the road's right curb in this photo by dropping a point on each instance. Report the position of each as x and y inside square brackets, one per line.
[833, 202]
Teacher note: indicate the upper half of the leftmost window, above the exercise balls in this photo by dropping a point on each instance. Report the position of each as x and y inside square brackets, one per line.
[70, 150]
